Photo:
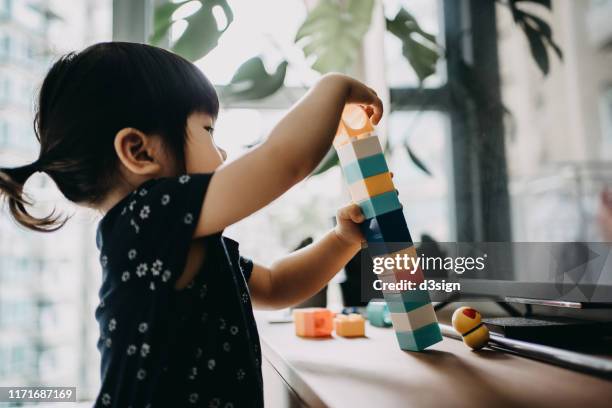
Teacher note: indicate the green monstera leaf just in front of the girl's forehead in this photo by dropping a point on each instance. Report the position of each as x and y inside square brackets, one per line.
[252, 81]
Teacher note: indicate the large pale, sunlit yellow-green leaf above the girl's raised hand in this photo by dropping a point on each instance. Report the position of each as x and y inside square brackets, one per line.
[333, 32]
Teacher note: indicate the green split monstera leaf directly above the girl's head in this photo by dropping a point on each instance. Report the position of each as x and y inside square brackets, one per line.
[202, 33]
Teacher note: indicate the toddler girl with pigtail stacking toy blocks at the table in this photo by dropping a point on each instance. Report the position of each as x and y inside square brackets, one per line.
[127, 129]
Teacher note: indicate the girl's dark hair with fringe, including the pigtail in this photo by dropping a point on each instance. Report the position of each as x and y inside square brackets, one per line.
[85, 99]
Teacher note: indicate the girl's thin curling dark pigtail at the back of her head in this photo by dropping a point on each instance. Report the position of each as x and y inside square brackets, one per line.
[11, 187]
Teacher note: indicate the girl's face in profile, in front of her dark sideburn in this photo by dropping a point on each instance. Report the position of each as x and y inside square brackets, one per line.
[202, 155]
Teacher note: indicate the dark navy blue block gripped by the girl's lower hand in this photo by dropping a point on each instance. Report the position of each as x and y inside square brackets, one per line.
[387, 233]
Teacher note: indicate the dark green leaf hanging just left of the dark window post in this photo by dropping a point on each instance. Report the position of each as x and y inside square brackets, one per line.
[418, 46]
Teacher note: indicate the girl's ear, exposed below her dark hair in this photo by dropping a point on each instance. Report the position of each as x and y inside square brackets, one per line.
[138, 152]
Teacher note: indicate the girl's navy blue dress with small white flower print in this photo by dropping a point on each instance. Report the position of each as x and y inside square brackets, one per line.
[161, 347]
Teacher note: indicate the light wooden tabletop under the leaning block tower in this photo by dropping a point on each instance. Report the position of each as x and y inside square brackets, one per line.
[374, 372]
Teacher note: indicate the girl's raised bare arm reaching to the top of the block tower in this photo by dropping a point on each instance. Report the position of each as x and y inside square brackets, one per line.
[293, 149]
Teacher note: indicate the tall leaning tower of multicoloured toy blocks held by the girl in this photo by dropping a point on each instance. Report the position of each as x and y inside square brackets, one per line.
[370, 185]
